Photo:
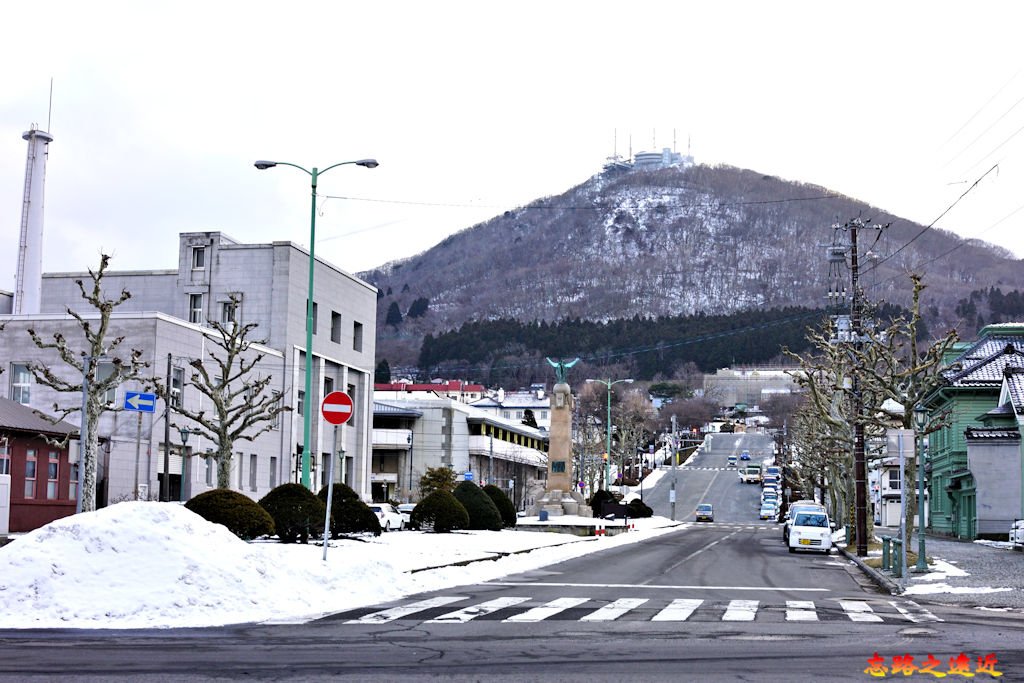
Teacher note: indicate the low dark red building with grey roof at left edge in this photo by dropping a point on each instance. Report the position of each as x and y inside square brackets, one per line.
[44, 482]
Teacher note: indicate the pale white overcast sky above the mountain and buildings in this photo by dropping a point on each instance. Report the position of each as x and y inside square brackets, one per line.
[159, 111]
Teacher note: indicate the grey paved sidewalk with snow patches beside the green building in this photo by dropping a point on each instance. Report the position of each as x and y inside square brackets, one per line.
[966, 574]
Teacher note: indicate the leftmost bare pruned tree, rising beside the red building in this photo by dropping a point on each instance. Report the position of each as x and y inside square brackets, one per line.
[86, 361]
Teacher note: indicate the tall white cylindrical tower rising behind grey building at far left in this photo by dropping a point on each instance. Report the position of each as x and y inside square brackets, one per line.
[29, 283]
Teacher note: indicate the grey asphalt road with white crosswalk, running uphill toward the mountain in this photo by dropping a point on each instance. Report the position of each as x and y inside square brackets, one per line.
[720, 602]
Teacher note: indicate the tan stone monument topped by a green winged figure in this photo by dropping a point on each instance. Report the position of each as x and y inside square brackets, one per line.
[562, 497]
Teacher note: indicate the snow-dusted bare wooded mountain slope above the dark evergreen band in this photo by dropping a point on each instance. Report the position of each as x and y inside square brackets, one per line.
[673, 242]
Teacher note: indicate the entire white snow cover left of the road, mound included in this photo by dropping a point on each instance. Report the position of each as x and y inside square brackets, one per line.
[145, 565]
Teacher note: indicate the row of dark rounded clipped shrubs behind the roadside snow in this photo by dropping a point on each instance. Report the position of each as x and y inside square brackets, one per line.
[294, 514]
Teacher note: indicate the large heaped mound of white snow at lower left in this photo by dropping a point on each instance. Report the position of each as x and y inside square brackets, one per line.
[144, 565]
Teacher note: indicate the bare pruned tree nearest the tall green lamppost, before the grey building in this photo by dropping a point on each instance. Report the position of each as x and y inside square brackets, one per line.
[243, 408]
